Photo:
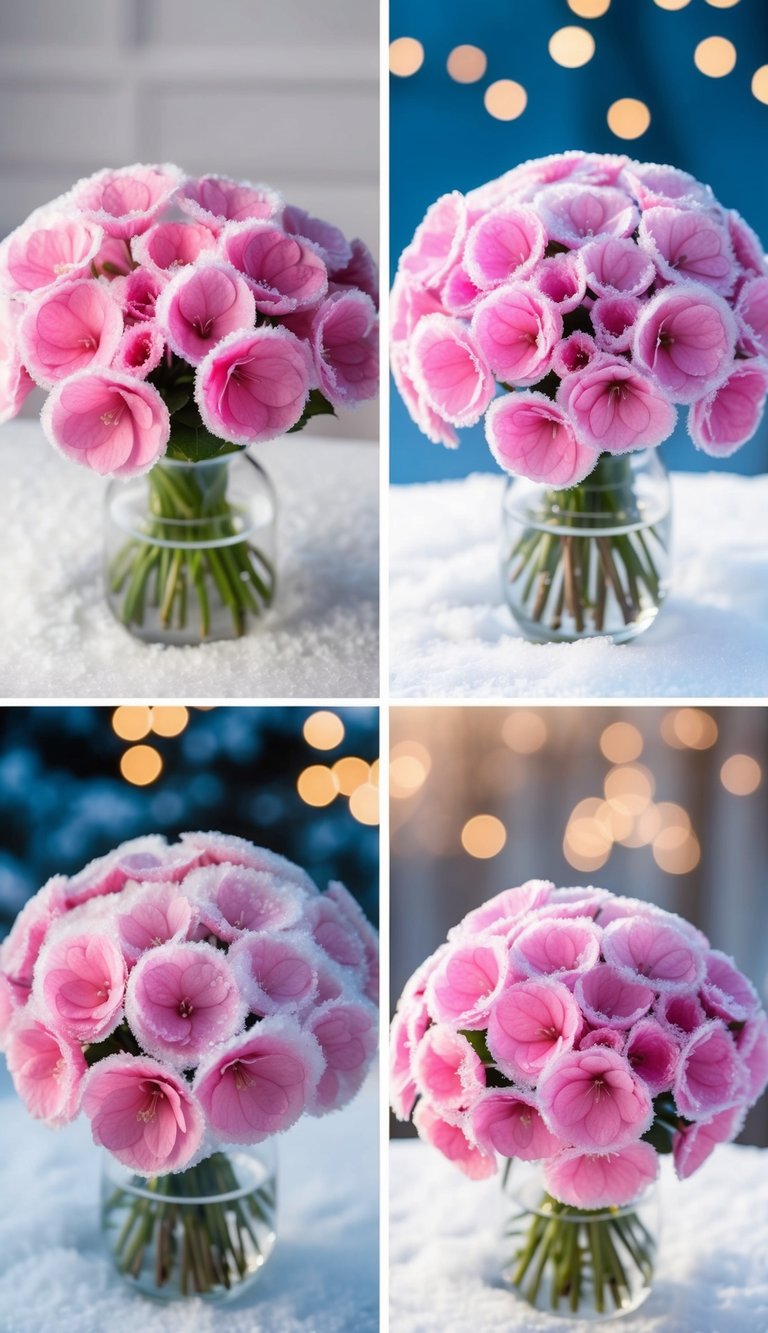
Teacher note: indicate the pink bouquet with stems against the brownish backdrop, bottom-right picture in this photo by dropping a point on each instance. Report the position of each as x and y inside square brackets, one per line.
[587, 1032]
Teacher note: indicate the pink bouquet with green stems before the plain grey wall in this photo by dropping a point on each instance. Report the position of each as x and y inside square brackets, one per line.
[183, 319]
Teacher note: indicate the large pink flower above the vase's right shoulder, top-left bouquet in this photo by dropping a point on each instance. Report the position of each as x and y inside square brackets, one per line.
[254, 386]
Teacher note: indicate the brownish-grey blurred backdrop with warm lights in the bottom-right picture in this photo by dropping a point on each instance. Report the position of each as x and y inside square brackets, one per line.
[663, 804]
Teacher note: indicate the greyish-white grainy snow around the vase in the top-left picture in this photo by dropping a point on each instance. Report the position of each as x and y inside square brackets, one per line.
[59, 639]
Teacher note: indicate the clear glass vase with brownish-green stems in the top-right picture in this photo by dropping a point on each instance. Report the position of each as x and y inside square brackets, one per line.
[593, 561]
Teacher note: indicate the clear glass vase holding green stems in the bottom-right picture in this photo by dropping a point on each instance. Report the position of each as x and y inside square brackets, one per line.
[582, 1264]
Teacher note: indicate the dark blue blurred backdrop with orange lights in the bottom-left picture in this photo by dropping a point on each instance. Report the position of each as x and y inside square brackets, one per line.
[75, 782]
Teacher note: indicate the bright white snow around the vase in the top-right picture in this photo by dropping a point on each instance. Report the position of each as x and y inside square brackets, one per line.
[453, 634]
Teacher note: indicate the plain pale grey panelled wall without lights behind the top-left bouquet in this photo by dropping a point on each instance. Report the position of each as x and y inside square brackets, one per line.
[281, 91]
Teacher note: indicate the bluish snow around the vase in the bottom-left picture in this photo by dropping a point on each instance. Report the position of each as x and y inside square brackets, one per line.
[323, 1276]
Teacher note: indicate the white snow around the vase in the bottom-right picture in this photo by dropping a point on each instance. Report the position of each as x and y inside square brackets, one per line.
[446, 1251]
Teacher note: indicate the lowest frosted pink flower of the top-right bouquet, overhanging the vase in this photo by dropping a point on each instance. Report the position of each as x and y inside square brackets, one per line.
[533, 438]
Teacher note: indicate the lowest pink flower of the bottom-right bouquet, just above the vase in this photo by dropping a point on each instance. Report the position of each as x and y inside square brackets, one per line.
[602, 1180]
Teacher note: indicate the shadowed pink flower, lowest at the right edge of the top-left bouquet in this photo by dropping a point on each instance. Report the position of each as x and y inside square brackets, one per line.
[346, 349]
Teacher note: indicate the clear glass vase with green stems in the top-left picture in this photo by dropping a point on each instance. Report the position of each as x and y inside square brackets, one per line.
[190, 550]
